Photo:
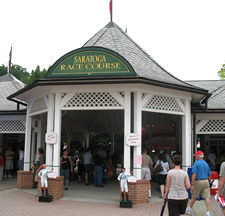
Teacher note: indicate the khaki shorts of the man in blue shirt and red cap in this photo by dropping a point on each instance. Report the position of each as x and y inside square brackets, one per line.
[201, 187]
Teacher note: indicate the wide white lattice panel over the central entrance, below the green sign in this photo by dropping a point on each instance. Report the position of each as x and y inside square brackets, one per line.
[93, 100]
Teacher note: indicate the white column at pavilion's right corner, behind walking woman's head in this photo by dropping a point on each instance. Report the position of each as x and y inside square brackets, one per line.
[186, 136]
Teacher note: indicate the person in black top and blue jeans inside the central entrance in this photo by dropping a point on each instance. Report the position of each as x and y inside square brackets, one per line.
[99, 163]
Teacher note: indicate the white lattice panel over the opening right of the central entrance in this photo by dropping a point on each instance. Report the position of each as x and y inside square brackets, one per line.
[165, 104]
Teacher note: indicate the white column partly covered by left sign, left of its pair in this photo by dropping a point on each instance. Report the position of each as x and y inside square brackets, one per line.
[50, 128]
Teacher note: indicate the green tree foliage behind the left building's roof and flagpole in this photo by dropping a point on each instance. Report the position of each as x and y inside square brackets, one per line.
[23, 75]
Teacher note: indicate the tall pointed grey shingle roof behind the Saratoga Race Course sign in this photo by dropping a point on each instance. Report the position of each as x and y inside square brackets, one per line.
[114, 38]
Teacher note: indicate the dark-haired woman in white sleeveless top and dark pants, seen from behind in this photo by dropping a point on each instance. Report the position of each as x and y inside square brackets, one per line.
[177, 184]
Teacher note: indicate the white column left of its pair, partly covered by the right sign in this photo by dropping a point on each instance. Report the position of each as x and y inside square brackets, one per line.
[127, 124]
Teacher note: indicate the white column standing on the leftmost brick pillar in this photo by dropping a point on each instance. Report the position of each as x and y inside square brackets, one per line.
[27, 148]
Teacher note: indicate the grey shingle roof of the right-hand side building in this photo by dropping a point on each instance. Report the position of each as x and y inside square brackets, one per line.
[216, 88]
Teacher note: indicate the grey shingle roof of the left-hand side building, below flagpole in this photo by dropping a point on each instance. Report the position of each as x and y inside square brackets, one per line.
[9, 85]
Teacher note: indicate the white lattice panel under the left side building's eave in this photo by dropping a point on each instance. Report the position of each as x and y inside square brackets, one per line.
[12, 126]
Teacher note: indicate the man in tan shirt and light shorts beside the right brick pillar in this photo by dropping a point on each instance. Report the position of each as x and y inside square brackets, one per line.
[146, 168]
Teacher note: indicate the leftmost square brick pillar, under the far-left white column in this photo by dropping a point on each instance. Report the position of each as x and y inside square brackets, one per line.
[25, 179]
